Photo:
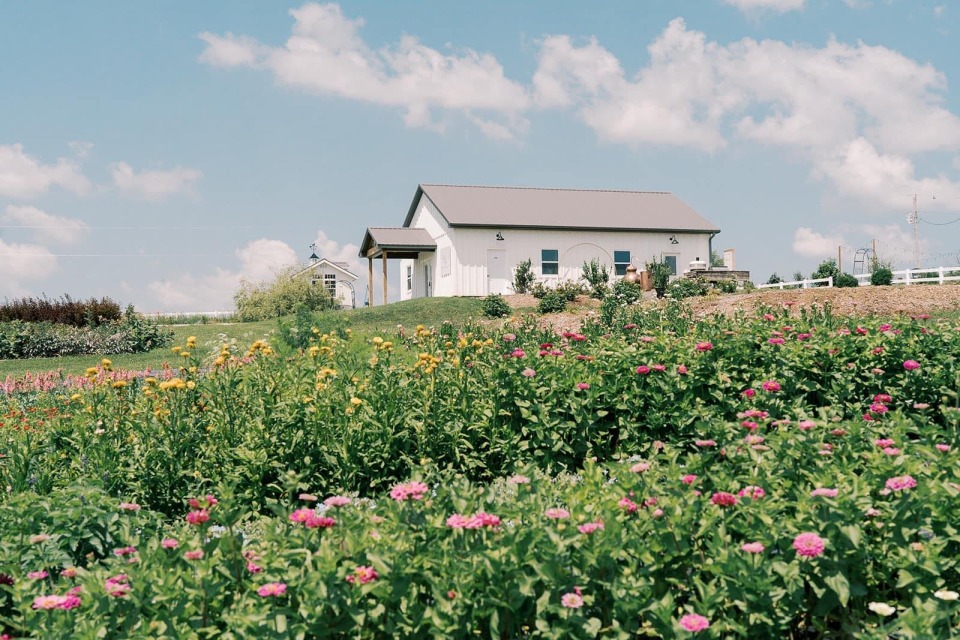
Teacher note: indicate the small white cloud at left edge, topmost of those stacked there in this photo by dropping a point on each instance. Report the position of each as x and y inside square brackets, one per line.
[23, 176]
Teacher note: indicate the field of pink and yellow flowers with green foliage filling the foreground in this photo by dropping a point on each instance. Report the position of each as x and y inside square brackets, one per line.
[791, 474]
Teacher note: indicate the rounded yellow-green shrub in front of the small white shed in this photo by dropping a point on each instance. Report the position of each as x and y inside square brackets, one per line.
[280, 297]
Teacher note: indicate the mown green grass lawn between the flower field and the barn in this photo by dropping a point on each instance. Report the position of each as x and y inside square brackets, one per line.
[365, 323]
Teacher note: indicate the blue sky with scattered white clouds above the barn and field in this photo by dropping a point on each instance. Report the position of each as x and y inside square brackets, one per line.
[157, 153]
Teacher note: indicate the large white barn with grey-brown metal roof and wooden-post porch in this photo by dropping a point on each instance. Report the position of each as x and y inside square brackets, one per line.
[467, 241]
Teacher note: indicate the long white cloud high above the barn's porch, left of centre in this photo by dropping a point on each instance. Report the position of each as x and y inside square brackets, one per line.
[326, 55]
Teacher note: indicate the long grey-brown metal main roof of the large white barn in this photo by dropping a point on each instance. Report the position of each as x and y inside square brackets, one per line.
[534, 208]
